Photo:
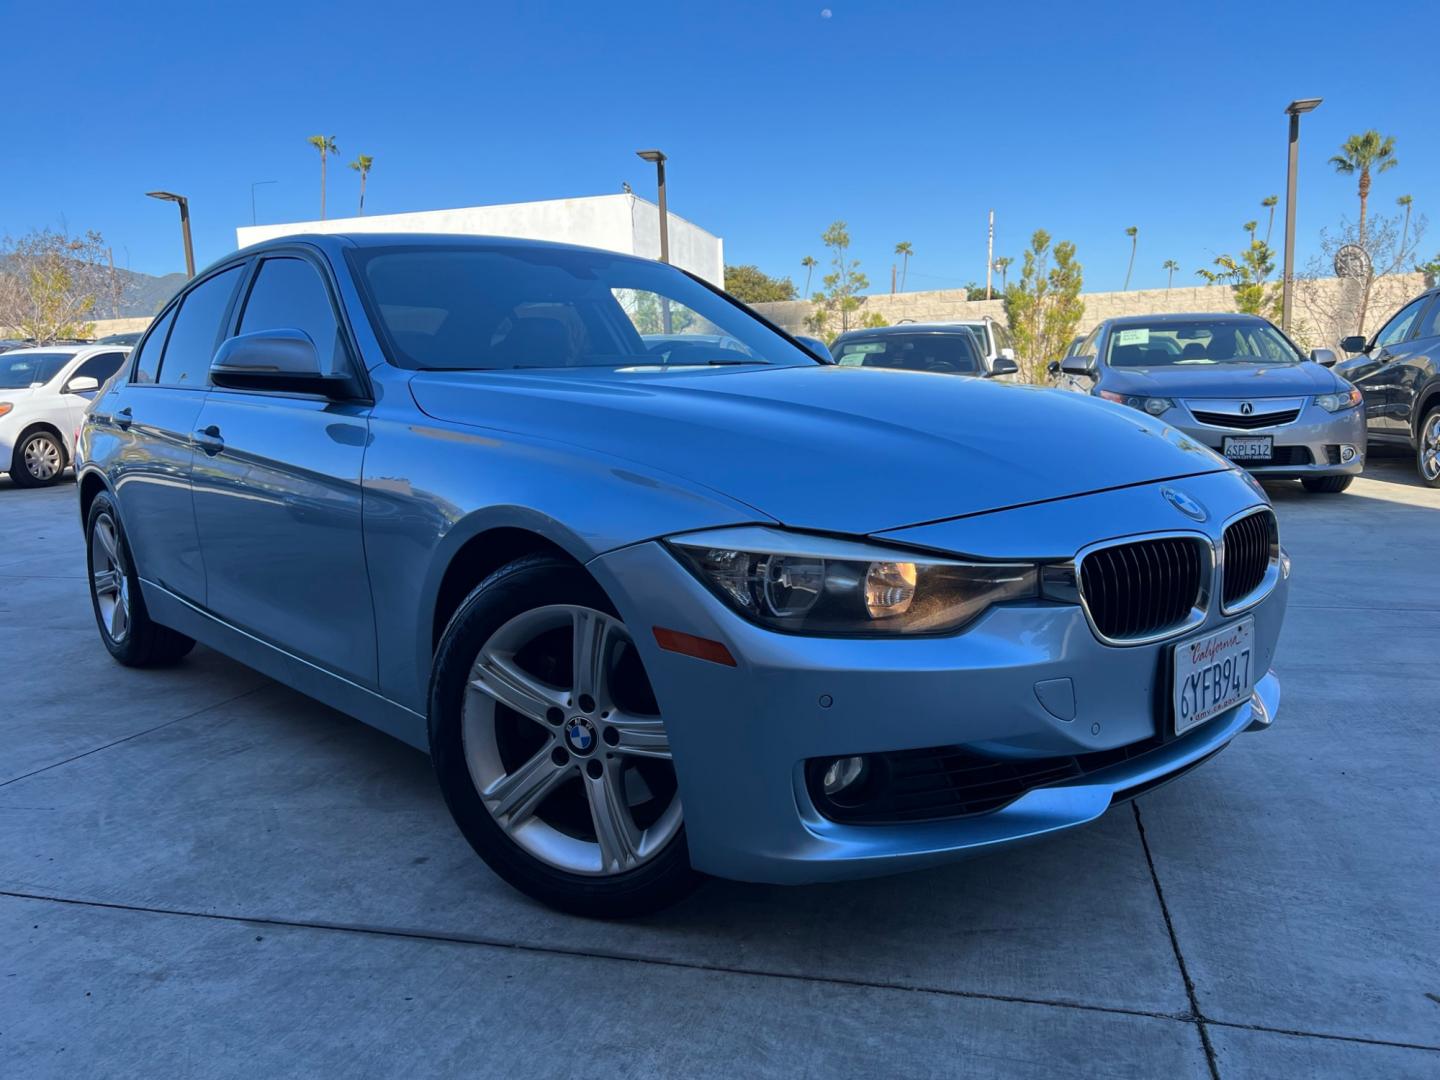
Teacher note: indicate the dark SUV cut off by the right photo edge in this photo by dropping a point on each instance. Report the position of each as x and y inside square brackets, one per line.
[1399, 372]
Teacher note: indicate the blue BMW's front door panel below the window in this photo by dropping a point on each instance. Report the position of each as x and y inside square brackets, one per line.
[277, 505]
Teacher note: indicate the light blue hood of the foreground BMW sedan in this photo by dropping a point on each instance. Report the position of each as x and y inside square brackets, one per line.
[845, 450]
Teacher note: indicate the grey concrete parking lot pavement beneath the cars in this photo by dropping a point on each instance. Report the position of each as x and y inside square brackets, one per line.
[204, 873]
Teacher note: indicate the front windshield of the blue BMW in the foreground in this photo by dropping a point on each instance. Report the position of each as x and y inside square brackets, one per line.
[476, 307]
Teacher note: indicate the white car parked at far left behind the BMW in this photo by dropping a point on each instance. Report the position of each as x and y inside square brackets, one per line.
[44, 394]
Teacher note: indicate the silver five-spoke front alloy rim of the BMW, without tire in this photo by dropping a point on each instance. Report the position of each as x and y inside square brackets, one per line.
[565, 742]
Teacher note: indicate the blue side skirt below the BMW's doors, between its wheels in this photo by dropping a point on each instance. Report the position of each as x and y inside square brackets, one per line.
[284, 667]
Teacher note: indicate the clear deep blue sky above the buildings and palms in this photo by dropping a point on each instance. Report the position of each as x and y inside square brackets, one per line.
[906, 120]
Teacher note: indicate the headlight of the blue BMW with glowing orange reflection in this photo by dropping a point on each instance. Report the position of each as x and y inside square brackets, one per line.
[819, 585]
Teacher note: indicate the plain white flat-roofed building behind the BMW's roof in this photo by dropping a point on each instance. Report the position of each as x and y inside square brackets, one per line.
[614, 222]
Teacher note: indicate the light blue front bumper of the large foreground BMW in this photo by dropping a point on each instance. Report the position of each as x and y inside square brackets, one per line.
[741, 737]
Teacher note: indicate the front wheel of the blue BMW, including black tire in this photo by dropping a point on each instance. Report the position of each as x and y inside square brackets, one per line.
[551, 750]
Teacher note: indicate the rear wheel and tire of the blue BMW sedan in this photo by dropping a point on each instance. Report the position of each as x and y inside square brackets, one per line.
[126, 627]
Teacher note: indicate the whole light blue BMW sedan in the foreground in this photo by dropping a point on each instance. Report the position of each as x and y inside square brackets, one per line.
[659, 591]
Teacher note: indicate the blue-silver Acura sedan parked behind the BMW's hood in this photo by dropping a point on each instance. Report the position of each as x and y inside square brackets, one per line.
[1235, 384]
